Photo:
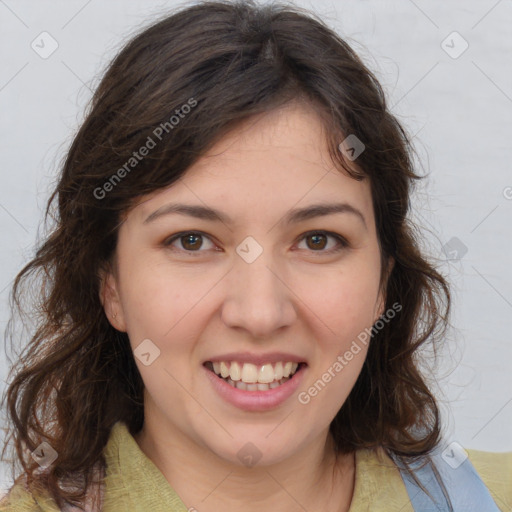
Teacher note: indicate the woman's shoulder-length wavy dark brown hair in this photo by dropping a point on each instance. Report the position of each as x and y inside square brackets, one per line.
[76, 376]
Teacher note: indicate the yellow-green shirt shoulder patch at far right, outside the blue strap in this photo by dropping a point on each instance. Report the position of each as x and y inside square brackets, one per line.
[495, 469]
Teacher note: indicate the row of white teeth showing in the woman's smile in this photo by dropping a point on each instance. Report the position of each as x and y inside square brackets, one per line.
[252, 374]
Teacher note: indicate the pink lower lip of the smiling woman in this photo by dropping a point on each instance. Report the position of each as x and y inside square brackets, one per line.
[255, 400]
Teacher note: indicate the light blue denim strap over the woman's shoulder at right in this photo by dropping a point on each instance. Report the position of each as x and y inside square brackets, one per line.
[465, 488]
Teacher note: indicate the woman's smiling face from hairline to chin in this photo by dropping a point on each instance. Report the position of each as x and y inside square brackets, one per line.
[252, 292]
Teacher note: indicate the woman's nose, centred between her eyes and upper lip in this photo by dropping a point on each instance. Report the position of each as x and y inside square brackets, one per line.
[258, 298]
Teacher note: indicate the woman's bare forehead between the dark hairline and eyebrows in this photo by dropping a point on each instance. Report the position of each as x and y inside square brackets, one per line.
[268, 164]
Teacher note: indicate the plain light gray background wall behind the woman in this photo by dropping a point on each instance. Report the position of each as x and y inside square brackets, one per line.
[458, 109]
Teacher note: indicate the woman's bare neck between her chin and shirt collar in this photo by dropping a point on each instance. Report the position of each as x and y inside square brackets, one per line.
[313, 478]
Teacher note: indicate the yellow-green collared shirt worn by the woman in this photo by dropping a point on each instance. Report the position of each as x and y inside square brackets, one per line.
[134, 484]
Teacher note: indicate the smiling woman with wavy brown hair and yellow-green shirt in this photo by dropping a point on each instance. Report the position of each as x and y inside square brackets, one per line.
[233, 297]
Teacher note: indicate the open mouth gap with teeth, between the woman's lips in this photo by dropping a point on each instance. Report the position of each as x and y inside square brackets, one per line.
[249, 377]
